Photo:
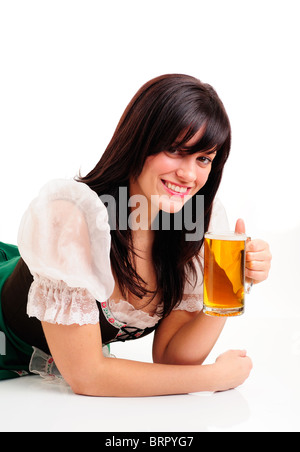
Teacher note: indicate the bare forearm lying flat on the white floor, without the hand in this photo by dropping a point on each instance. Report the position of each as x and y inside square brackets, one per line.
[124, 378]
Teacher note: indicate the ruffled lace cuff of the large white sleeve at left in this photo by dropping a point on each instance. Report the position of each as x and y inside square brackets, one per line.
[55, 302]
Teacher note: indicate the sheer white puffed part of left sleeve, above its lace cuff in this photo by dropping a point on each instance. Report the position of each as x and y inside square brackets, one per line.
[65, 235]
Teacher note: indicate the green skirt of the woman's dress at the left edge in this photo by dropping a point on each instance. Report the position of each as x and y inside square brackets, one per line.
[15, 354]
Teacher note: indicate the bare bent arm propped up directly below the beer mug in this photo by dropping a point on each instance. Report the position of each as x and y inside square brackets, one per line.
[186, 337]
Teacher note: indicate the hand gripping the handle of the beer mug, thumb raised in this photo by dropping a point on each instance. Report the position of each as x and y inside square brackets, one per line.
[258, 257]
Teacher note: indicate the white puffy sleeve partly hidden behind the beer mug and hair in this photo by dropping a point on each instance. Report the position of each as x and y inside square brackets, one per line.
[193, 292]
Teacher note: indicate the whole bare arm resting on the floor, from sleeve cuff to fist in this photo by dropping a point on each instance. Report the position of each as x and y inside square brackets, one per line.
[77, 352]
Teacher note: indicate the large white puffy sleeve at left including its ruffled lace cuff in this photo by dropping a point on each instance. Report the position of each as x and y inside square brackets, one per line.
[64, 238]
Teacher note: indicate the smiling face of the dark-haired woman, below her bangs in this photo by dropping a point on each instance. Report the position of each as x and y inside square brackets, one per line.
[169, 179]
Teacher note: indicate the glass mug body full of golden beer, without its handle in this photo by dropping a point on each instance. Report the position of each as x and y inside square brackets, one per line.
[224, 274]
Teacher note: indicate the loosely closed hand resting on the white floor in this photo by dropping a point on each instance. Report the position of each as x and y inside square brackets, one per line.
[233, 368]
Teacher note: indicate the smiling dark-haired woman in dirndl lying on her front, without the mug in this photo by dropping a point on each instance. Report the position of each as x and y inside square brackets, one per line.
[98, 263]
